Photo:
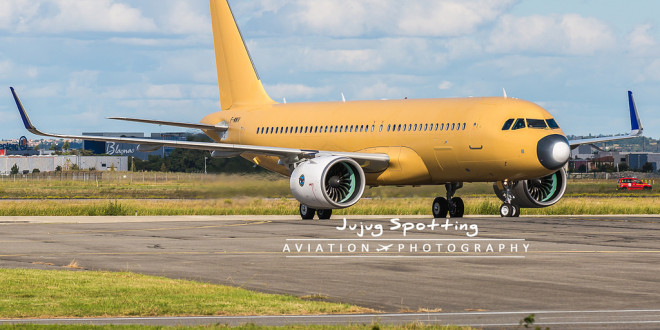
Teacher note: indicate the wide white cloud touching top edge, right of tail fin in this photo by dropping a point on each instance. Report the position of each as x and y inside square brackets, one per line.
[348, 18]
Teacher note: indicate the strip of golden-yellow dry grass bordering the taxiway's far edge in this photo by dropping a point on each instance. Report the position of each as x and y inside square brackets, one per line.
[284, 206]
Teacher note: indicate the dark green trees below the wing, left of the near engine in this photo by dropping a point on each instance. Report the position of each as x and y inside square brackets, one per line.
[192, 161]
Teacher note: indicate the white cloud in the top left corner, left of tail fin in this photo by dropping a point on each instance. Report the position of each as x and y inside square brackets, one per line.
[61, 16]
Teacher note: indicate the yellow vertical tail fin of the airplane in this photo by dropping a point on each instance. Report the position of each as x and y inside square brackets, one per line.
[237, 78]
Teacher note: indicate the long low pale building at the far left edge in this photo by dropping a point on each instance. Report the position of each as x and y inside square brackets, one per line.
[69, 162]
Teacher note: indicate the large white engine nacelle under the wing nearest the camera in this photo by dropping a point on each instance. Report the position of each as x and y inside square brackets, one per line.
[331, 182]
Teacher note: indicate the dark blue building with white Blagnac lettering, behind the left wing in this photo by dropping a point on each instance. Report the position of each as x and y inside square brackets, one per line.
[129, 149]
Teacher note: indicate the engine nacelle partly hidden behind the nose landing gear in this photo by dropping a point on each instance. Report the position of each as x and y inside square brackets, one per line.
[535, 193]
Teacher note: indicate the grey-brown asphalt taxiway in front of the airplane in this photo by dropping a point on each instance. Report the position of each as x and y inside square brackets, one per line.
[579, 271]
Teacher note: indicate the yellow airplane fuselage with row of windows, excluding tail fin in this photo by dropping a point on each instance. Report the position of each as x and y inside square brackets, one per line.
[429, 141]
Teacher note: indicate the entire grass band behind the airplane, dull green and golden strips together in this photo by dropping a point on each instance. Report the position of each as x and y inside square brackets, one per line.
[269, 194]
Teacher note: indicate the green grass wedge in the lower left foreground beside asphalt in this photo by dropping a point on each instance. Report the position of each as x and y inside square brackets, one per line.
[28, 293]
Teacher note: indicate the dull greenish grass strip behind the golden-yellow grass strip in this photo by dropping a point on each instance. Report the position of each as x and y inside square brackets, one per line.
[182, 186]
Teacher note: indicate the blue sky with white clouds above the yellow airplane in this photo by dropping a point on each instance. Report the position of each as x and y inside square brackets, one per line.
[76, 62]
